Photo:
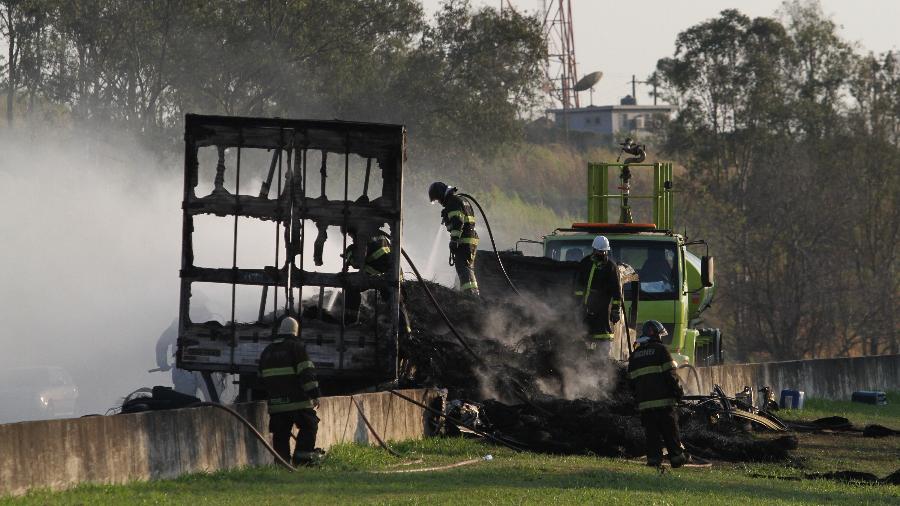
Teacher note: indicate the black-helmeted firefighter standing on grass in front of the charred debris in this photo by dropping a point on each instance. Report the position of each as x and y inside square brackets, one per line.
[651, 372]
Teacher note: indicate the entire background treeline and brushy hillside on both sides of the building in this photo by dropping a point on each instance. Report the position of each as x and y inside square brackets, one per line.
[789, 137]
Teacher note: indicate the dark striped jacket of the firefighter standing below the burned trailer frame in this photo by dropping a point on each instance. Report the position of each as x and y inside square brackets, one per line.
[288, 375]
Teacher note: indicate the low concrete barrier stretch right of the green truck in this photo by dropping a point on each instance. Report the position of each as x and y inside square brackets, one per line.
[827, 378]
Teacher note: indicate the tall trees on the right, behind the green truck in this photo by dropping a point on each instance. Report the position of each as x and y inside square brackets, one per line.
[791, 138]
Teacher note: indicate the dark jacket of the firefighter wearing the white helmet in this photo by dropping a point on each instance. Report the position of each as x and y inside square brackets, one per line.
[597, 285]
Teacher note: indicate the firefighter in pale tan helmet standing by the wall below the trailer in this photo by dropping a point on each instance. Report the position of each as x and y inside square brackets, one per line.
[289, 377]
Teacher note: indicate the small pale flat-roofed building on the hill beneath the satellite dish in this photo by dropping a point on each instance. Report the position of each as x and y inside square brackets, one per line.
[611, 119]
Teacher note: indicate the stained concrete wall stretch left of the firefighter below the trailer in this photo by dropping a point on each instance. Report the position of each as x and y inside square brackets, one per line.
[122, 448]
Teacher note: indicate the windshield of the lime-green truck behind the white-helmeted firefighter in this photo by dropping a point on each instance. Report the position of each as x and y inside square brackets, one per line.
[654, 262]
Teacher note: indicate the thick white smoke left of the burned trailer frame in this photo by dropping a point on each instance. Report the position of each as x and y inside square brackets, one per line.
[91, 254]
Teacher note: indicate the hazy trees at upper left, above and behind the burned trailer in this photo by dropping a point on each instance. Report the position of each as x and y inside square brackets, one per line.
[461, 78]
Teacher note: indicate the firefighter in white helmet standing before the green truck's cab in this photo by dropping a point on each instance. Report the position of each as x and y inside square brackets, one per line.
[598, 292]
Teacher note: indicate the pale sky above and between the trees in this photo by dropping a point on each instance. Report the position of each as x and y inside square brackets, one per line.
[627, 37]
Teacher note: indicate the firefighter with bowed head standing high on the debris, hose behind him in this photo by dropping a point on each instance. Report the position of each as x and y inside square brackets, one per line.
[459, 219]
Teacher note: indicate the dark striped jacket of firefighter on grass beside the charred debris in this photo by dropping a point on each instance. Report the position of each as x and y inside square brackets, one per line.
[651, 372]
